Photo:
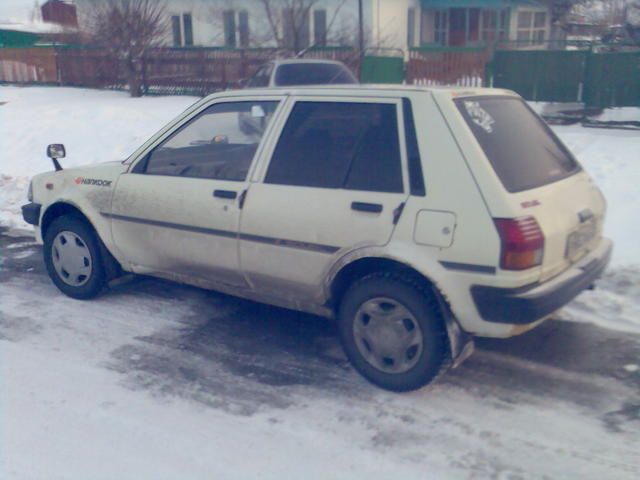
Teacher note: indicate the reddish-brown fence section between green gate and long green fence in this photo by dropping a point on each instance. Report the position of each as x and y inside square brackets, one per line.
[447, 66]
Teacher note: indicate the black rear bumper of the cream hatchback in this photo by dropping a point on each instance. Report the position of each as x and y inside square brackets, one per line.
[533, 302]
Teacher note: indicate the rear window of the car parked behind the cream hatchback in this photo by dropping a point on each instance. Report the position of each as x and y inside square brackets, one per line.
[313, 74]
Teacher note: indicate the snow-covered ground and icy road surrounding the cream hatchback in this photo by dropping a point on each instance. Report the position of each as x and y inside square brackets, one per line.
[157, 380]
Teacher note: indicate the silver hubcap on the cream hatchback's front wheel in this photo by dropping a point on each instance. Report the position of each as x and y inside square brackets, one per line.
[71, 259]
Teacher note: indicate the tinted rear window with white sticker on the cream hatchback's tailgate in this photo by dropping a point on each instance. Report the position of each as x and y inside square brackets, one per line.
[523, 150]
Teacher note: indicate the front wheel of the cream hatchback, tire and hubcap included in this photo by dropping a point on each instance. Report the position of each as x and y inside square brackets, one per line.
[73, 258]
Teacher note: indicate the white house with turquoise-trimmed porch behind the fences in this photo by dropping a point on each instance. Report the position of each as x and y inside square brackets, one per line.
[388, 24]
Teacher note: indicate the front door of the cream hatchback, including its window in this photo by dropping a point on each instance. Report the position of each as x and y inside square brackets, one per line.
[177, 210]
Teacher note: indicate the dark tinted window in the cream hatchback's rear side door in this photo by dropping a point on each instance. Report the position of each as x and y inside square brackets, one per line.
[339, 145]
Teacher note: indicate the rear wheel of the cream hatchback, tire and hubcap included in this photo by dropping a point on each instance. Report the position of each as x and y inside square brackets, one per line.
[396, 303]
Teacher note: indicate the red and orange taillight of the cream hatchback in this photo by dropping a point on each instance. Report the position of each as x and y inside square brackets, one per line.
[522, 242]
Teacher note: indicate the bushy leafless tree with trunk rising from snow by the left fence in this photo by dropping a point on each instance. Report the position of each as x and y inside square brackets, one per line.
[128, 28]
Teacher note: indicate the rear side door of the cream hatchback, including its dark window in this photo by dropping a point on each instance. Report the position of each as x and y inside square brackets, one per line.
[336, 180]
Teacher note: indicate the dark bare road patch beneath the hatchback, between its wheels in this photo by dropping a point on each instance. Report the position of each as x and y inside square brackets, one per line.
[235, 354]
